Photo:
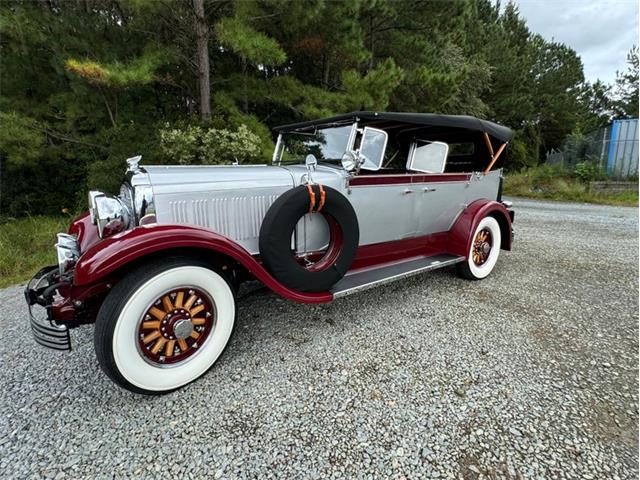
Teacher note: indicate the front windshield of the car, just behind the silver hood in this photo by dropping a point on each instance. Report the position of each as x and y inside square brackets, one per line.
[327, 144]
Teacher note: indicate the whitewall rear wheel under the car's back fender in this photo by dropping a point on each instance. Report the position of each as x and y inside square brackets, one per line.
[484, 251]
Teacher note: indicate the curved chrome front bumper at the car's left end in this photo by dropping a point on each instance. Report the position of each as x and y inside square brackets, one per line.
[40, 291]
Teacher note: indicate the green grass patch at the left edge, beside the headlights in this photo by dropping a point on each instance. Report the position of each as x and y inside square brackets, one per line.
[26, 245]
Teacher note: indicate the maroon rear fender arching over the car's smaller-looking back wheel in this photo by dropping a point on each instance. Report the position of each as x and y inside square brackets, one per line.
[461, 234]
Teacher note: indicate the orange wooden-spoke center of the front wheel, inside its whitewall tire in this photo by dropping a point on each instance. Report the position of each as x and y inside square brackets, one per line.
[175, 325]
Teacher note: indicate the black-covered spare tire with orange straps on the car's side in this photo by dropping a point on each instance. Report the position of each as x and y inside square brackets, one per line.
[277, 229]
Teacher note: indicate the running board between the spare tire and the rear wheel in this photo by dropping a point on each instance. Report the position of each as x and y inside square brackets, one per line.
[372, 277]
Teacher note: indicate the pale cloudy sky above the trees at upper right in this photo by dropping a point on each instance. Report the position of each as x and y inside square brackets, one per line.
[601, 31]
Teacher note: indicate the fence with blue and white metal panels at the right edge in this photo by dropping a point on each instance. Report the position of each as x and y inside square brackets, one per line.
[614, 149]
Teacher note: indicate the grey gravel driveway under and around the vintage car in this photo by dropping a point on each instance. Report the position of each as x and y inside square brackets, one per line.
[532, 373]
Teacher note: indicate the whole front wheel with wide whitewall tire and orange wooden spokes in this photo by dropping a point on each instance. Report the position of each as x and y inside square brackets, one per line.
[164, 325]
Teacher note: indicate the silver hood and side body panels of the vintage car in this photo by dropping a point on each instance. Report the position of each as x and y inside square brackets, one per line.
[233, 200]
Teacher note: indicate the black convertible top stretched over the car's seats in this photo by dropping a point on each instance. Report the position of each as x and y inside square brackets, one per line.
[464, 122]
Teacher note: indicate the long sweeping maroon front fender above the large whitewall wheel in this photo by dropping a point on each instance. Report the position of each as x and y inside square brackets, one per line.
[114, 252]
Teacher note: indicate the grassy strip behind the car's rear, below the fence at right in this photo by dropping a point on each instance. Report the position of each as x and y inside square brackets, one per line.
[558, 184]
